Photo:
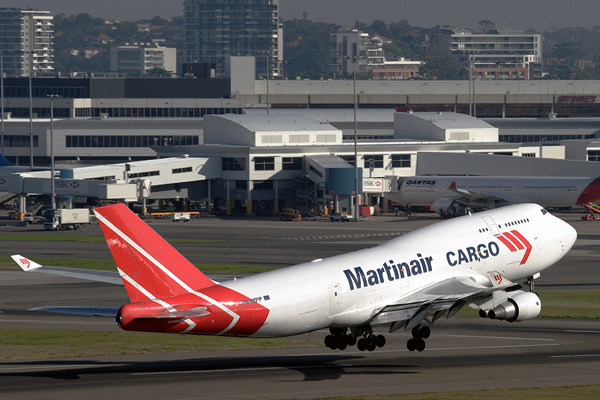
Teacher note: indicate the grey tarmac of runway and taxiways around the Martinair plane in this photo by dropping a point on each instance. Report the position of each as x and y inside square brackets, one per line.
[462, 353]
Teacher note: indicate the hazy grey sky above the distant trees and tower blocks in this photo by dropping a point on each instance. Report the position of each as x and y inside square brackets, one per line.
[517, 14]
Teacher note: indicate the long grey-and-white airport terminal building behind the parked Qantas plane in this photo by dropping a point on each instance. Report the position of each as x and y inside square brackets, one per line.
[269, 157]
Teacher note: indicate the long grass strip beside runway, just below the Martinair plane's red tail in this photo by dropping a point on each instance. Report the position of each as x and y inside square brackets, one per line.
[28, 344]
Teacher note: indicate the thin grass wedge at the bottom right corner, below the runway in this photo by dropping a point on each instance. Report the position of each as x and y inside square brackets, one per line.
[588, 392]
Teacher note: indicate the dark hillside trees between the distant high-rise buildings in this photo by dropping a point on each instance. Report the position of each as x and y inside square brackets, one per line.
[573, 52]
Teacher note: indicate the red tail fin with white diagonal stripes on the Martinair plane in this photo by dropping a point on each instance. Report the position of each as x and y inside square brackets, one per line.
[150, 267]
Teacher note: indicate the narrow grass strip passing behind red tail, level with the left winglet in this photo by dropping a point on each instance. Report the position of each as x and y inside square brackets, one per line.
[109, 265]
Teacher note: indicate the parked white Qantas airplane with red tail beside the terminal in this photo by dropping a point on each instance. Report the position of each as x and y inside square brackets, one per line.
[449, 194]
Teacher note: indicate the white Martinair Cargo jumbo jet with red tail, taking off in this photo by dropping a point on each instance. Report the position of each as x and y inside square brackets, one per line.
[475, 260]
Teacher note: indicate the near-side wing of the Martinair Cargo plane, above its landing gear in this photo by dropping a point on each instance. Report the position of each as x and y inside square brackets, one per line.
[450, 294]
